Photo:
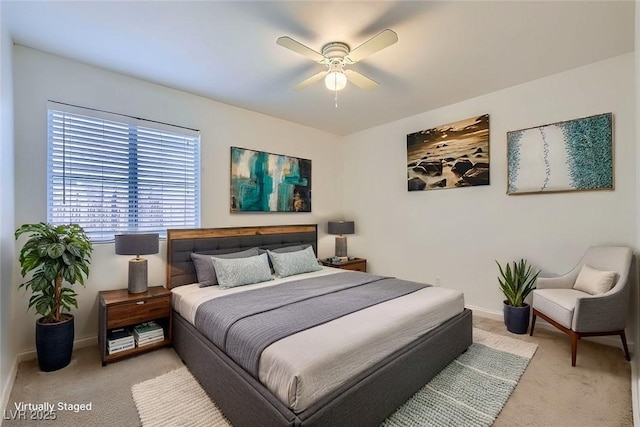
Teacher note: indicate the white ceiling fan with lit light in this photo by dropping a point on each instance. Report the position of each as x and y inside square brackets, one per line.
[336, 56]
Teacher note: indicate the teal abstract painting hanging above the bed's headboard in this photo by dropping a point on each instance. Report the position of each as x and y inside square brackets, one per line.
[267, 182]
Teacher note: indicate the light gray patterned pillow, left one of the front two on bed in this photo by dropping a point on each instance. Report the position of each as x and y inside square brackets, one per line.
[241, 271]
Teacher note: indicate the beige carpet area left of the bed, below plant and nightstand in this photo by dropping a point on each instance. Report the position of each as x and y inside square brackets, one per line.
[85, 381]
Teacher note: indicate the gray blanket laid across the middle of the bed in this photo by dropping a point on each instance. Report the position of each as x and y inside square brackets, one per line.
[245, 323]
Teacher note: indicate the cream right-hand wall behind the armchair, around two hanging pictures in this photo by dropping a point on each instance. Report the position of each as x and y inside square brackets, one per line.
[455, 235]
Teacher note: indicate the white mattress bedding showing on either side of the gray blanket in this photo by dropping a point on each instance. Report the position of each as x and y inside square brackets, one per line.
[306, 366]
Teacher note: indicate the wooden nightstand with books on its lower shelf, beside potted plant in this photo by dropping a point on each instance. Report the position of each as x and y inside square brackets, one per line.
[119, 309]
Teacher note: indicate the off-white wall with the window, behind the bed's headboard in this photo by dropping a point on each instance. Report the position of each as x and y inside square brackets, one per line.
[40, 77]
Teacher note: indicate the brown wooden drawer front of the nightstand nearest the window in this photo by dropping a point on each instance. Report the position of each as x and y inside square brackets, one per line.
[137, 311]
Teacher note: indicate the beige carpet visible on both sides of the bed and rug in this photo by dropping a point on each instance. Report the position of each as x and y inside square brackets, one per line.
[596, 392]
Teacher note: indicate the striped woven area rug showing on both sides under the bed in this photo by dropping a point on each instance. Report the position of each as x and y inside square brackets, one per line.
[471, 391]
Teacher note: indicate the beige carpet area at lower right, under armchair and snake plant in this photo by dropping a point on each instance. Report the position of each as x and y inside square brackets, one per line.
[552, 393]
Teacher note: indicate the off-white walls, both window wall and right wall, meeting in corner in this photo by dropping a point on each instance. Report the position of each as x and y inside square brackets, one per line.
[452, 235]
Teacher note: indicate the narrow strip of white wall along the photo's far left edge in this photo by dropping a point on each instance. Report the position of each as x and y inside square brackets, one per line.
[8, 349]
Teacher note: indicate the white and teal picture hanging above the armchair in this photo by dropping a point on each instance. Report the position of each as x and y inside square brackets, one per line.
[564, 156]
